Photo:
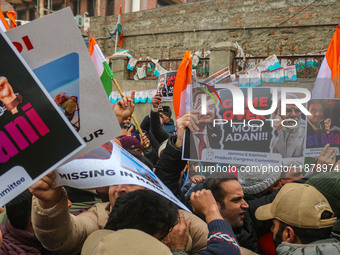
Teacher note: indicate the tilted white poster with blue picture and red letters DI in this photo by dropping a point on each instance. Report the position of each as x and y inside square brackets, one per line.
[54, 48]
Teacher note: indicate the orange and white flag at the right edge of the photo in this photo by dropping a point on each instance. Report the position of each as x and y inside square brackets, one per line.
[327, 81]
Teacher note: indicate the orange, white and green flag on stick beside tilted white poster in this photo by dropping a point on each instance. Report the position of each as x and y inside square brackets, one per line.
[103, 68]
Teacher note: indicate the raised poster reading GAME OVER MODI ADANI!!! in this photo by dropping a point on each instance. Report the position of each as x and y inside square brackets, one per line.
[248, 138]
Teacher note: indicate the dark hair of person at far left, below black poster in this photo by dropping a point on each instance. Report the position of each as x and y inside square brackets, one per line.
[19, 210]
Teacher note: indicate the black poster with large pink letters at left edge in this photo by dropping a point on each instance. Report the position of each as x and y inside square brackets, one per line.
[35, 136]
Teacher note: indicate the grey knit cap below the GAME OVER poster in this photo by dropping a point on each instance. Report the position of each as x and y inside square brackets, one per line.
[254, 182]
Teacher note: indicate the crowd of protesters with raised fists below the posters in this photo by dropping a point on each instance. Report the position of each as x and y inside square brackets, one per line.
[246, 213]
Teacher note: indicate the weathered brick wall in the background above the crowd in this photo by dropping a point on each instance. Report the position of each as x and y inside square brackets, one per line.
[254, 24]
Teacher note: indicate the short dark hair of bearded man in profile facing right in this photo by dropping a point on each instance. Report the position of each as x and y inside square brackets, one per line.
[214, 182]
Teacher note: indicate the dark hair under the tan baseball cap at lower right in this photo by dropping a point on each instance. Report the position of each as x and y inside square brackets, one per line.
[309, 235]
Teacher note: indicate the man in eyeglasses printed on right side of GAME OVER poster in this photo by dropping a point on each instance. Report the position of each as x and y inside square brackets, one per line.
[289, 134]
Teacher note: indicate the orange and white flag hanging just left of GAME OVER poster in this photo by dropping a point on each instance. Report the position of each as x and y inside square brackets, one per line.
[181, 94]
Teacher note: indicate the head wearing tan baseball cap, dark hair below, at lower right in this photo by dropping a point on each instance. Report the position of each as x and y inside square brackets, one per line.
[302, 208]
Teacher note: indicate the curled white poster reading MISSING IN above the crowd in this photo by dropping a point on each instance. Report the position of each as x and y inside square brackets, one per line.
[101, 168]
